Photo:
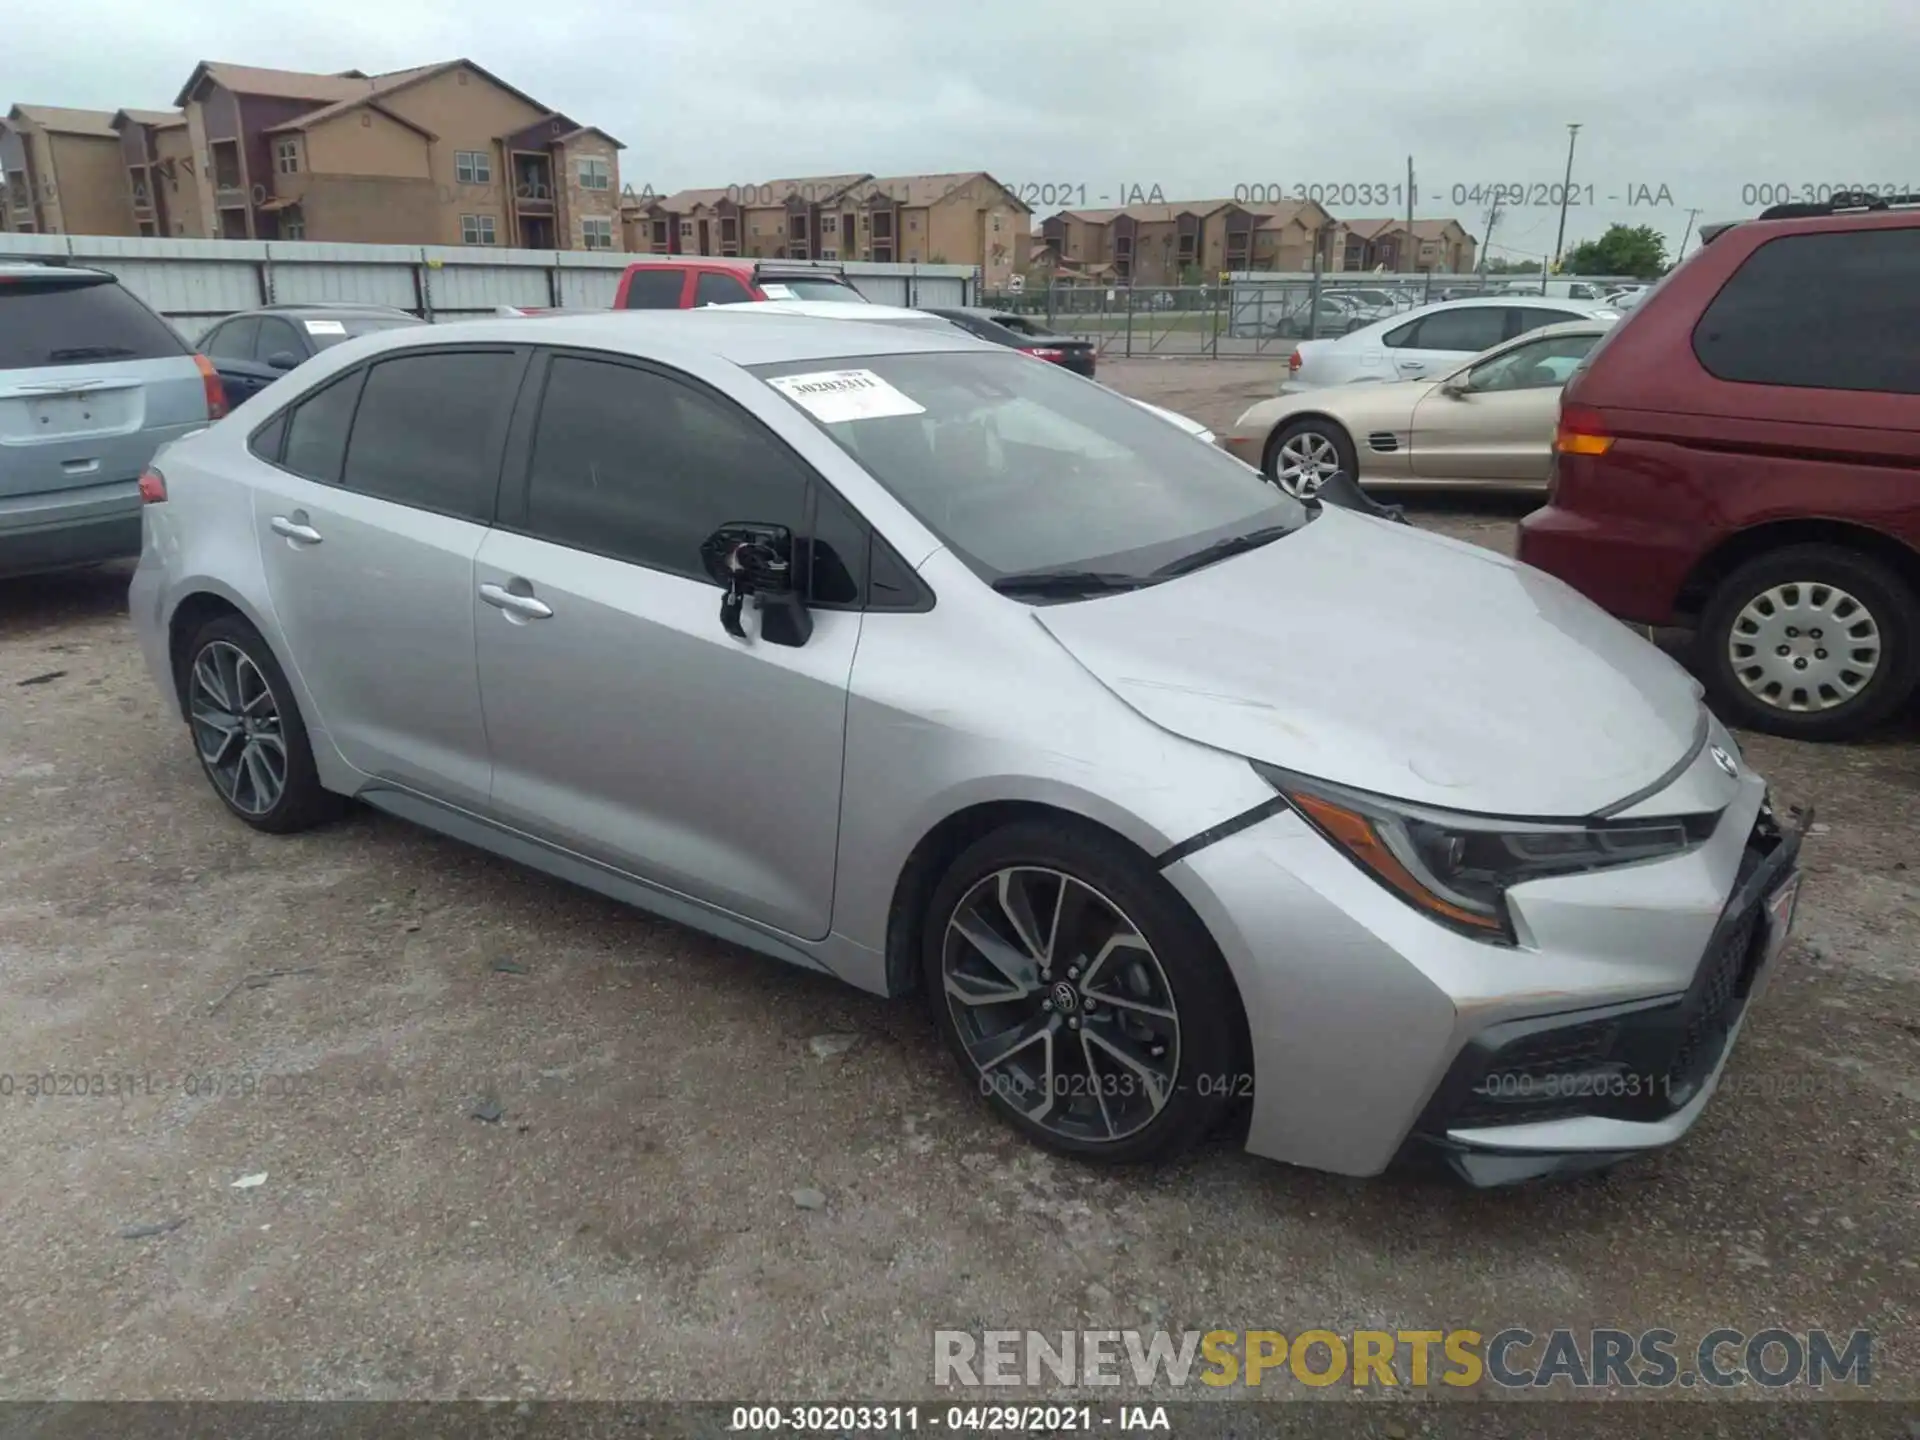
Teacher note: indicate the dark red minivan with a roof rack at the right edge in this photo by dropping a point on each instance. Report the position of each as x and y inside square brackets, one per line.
[1742, 456]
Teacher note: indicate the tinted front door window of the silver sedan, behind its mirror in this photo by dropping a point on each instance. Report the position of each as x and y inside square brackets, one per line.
[640, 468]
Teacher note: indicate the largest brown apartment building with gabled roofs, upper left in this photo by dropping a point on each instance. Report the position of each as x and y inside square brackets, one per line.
[441, 155]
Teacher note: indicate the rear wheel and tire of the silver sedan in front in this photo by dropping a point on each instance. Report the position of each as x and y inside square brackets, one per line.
[229, 660]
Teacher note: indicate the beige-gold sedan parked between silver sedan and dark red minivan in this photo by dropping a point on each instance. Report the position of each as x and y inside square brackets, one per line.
[1485, 423]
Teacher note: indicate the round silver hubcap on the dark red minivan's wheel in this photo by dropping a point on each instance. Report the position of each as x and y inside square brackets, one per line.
[1804, 648]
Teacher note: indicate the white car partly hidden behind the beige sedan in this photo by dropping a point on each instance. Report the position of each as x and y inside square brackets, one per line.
[1428, 341]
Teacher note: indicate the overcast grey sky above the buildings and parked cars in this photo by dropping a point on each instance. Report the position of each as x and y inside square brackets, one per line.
[1702, 101]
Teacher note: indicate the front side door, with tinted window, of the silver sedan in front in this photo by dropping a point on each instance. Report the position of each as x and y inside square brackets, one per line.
[627, 725]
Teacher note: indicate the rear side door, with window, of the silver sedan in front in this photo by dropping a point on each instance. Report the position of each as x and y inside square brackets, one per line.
[368, 531]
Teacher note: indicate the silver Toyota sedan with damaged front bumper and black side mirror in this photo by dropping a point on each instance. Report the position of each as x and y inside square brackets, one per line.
[876, 650]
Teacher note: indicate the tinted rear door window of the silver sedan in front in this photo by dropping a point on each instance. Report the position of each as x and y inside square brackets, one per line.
[429, 431]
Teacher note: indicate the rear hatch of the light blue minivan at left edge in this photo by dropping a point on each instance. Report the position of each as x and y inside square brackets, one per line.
[91, 385]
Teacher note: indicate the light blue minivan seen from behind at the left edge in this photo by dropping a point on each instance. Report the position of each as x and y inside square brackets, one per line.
[91, 385]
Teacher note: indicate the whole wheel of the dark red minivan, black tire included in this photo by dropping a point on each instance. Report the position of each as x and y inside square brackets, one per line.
[1748, 623]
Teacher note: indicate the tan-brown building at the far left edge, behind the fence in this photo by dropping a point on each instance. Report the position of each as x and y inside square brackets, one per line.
[64, 174]
